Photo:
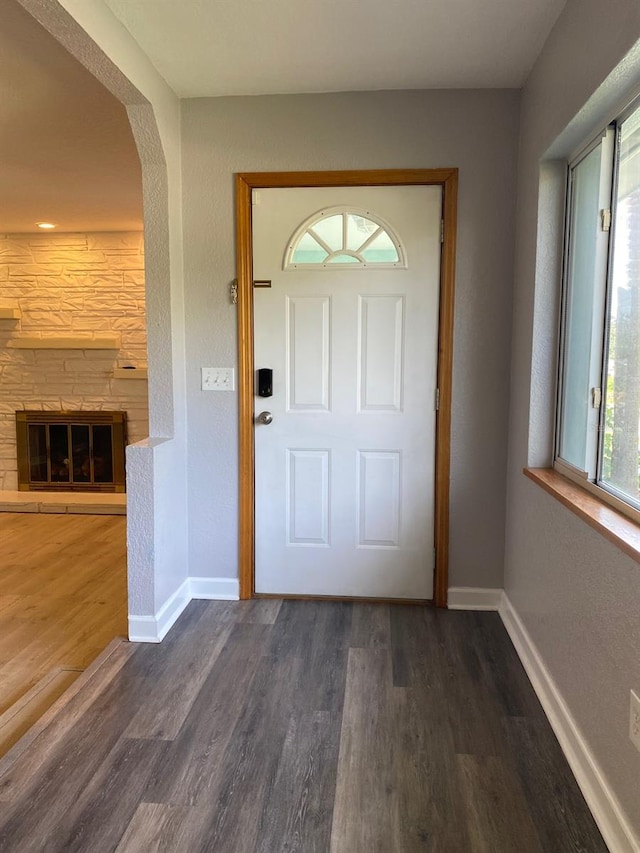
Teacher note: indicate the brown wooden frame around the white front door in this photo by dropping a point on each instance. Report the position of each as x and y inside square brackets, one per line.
[246, 182]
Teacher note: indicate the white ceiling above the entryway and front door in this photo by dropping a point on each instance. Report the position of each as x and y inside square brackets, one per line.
[249, 47]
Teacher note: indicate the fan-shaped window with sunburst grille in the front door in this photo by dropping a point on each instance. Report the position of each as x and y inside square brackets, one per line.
[344, 239]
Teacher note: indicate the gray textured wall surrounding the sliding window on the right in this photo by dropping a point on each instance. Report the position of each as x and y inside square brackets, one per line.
[577, 594]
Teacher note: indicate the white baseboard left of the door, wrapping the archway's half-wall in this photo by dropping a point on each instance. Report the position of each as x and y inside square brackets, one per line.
[153, 629]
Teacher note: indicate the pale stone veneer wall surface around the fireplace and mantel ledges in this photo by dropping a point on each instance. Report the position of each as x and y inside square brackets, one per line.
[71, 284]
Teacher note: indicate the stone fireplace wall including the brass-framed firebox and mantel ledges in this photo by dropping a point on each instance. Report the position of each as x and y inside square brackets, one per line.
[72, 341]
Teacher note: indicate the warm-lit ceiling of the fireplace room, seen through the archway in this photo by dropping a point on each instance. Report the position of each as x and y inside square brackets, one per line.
[67, 154]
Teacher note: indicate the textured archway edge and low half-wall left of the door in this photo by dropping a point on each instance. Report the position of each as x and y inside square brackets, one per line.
[157, 514]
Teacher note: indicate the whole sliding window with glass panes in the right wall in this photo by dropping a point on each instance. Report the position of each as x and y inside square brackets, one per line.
[598, 428]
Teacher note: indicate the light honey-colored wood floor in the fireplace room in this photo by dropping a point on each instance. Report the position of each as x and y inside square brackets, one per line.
[62, 600]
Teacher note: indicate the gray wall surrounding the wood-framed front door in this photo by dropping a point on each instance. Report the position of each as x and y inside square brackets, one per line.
[473, 130]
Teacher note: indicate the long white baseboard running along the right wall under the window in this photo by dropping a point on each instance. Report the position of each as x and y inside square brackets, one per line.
[607, 812]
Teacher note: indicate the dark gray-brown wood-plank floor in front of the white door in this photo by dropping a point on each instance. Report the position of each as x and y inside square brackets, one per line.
[315, 727]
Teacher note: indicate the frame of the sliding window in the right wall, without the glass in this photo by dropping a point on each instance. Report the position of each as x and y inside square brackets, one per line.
[590, 480]
